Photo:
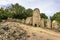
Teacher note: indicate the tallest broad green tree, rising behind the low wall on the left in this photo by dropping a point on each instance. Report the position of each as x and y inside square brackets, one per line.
[15, 10]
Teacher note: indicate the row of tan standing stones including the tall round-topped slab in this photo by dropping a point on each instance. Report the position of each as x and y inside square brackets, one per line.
[37, 21]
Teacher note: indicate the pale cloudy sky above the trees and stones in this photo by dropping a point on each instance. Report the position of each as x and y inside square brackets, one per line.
[49, 7]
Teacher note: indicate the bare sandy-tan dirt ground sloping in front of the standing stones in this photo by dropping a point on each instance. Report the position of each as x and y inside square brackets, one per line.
[36, 33]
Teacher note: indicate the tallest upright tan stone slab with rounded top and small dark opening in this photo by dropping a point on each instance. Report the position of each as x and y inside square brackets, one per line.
[36, 17]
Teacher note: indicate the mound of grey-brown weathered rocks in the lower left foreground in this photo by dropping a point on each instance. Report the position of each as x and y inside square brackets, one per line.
[12, 33]
